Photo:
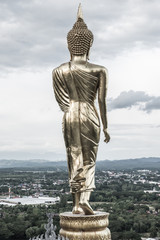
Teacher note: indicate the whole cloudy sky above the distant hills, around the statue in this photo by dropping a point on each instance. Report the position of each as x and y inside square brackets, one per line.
[33, 42]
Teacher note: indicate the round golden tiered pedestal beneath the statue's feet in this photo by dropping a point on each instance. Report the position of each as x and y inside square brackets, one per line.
[85, 227]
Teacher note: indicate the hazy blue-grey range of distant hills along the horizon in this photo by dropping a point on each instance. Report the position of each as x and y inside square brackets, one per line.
[138, 163]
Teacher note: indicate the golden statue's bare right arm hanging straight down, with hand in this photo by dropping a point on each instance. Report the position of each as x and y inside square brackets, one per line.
[102, 93]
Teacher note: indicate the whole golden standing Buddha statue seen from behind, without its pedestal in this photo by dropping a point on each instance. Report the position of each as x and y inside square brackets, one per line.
[76, 84]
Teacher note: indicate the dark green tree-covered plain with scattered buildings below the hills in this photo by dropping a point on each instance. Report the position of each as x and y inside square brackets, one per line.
[134, 212]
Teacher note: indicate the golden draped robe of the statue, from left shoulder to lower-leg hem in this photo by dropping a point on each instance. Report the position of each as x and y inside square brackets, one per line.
[75, 91]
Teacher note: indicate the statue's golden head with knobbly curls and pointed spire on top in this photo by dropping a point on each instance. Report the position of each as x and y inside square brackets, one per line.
[79, 38]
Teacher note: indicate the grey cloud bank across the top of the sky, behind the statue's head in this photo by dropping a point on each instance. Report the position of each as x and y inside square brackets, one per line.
[33, 31]
